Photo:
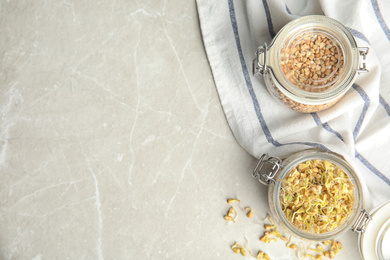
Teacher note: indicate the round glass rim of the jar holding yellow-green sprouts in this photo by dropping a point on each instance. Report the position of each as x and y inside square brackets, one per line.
[312, 154]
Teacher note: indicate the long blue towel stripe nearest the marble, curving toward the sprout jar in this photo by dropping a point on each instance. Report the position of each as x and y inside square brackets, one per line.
[248, 82]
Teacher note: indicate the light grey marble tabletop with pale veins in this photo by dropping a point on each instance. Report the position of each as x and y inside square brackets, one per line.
[113, 141]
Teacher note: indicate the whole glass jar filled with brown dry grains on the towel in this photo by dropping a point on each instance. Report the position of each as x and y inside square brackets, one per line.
[311, 63]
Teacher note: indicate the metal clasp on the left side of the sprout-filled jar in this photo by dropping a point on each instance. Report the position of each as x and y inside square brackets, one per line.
[266, 169]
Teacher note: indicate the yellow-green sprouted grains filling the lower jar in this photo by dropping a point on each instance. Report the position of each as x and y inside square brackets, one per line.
[317, 196]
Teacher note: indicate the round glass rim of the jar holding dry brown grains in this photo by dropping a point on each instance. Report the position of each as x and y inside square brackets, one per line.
[340, 84]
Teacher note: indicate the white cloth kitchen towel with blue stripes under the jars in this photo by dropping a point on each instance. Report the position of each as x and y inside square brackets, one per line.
[357, 127]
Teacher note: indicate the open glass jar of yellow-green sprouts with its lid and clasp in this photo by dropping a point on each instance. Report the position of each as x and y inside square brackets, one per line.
[316, 195]
